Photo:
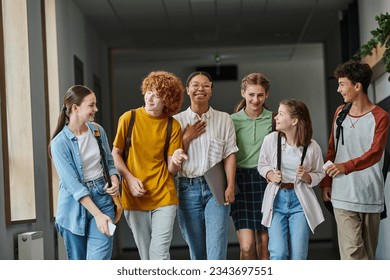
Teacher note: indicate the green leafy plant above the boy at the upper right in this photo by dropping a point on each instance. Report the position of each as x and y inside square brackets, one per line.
[380, 38]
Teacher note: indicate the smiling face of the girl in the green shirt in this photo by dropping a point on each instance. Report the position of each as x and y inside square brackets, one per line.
[255, 96]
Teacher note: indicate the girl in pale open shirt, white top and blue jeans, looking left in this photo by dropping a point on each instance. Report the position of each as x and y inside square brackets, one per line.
[290, 207]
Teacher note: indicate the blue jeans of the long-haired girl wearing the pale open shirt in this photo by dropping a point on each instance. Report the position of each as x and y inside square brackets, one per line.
[289, 232]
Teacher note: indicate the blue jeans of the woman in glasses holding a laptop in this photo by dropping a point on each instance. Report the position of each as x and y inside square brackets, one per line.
[202, 221]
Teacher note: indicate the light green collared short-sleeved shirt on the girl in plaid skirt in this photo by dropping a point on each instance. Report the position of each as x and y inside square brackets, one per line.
[249, 136]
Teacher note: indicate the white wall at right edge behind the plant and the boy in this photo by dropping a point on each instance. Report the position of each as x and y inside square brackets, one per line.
[367, 12]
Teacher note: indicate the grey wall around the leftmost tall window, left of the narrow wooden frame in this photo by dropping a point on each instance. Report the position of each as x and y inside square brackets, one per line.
[8, 241]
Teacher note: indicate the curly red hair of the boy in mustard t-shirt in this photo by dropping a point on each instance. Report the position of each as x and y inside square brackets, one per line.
[168, 87]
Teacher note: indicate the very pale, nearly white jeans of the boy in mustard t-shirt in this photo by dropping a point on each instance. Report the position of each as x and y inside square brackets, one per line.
[152, 231]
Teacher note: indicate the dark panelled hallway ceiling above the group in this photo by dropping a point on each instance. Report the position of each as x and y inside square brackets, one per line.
[158, 25]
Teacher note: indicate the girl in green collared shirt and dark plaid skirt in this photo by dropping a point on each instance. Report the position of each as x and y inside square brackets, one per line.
[252, 122]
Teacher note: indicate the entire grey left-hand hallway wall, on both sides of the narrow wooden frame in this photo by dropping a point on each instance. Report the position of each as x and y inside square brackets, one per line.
[75, 36]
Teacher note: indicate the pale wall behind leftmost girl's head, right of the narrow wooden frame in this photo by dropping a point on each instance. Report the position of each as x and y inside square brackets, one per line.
[77, 37]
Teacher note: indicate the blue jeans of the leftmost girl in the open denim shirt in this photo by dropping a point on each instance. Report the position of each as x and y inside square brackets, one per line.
[94, 245]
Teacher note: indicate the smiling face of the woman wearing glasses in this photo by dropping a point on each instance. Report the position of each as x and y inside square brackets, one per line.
[199, 89]
